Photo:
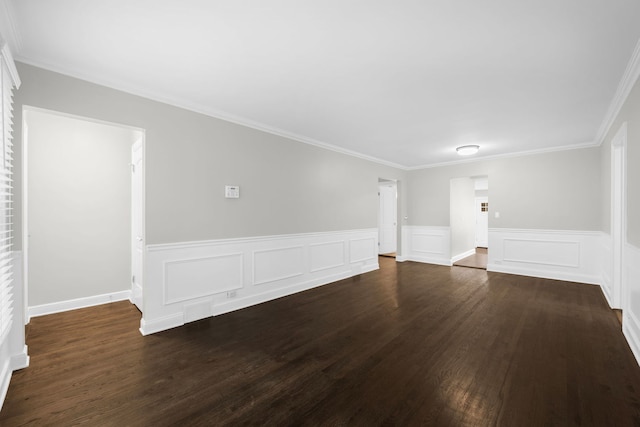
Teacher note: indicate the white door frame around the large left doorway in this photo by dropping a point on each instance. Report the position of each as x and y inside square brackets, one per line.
[25, 193]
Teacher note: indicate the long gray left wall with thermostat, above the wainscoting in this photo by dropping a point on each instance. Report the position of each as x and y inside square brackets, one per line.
[285, 186]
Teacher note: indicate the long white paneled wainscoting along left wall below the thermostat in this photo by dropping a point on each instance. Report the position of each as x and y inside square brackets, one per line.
[193, 280]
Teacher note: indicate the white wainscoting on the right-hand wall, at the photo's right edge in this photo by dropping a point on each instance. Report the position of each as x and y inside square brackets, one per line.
[631, 310]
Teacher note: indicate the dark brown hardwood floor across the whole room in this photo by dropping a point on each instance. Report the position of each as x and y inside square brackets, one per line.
[411, 344]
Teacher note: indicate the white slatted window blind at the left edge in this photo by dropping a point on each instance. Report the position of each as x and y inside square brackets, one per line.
[6, 198]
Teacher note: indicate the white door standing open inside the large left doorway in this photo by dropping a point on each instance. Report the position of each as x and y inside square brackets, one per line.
[137, 230]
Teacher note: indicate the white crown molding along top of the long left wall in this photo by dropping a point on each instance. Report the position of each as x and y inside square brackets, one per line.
[204, 110]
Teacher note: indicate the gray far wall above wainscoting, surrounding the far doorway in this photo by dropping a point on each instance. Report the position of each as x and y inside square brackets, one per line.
[557, 191]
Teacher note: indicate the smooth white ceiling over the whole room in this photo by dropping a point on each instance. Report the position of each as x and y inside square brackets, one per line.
[403, 81]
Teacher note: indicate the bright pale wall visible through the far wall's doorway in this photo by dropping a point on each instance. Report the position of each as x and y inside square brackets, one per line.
[463, 221]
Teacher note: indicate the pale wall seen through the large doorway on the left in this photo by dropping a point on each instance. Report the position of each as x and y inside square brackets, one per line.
[79, 194]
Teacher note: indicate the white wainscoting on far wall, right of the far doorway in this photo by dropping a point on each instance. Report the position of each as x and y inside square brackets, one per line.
[553, 254]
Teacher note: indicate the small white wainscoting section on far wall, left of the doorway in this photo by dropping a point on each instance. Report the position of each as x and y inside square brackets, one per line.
[426, 244]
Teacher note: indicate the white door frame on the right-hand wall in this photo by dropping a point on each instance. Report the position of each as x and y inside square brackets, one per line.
[618, 217]
